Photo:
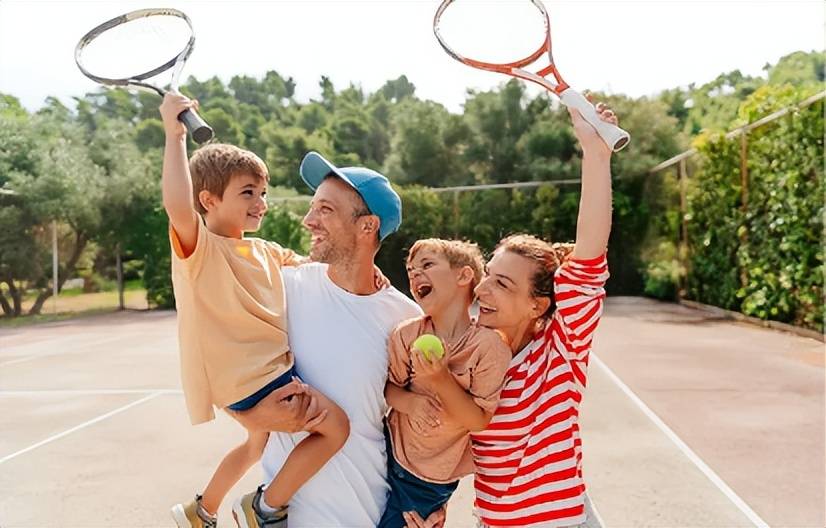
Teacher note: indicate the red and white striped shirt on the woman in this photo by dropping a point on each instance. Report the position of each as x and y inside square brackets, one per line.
[529, 459]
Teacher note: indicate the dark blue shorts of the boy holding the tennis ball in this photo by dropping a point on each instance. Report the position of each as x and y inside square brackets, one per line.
[410, 493]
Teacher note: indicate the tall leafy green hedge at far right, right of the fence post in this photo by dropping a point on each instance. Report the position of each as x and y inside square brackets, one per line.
[764, 258]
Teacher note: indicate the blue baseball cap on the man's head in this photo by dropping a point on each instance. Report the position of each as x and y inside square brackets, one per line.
[373, 187]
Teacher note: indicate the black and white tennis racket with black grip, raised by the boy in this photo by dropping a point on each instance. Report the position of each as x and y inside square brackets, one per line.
[130, 49]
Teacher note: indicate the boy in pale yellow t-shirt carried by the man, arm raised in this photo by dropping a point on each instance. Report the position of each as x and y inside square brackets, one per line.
[232, 323]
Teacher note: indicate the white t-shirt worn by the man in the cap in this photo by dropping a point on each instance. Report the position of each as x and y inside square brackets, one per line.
[339, 341]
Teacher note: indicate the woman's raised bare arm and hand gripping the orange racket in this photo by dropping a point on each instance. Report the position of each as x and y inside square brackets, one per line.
[594, 220]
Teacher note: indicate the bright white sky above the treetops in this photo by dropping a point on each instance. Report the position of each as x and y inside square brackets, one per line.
[638, 47]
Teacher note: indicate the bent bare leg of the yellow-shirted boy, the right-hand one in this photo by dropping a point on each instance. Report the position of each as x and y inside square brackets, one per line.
[310, 455]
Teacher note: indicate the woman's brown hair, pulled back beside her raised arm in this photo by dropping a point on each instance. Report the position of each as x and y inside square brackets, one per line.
[546, 257]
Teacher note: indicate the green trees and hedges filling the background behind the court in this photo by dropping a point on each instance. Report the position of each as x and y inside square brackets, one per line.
[94, 171]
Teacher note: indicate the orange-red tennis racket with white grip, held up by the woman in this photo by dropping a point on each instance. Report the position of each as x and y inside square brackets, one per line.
[495, 33]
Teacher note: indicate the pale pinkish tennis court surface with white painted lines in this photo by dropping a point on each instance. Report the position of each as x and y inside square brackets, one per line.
[688, 421]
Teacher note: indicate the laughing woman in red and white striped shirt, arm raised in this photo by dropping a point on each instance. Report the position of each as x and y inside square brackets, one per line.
[546, 300]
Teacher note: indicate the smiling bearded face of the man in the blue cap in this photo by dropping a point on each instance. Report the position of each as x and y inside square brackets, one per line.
[333, 221]
